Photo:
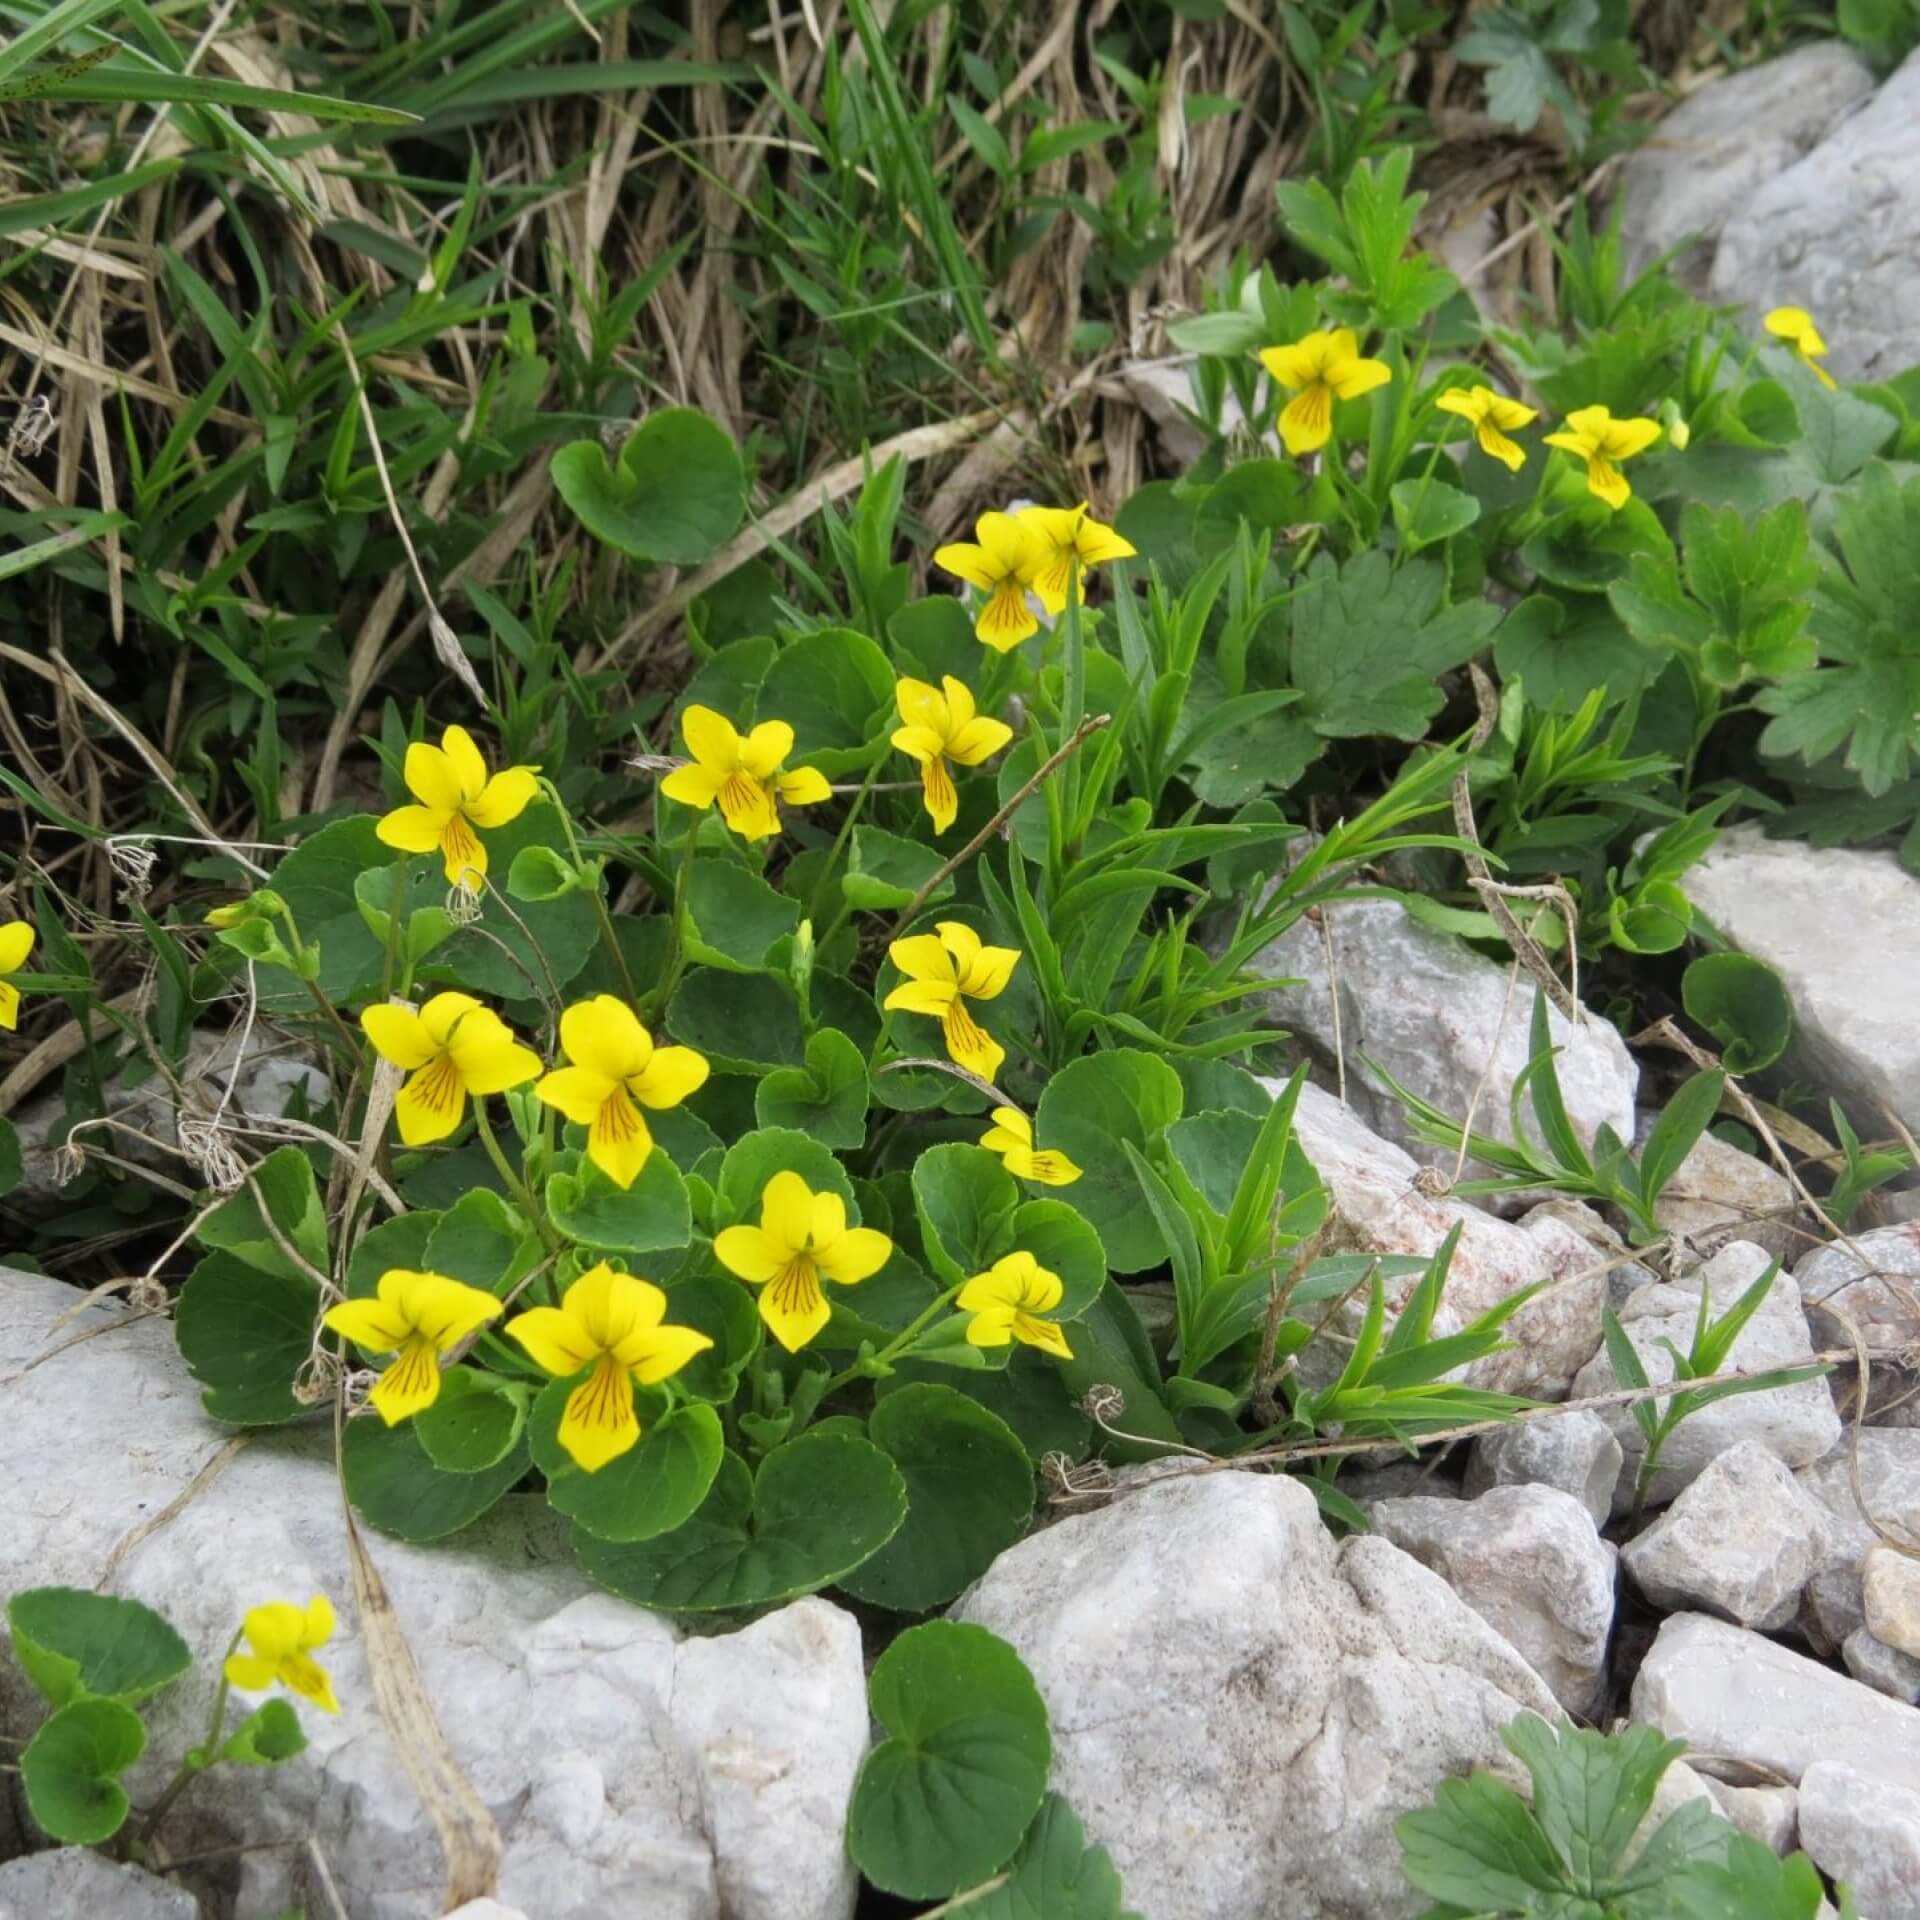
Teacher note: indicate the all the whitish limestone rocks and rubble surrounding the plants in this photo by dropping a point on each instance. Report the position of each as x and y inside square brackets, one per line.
[1241, 1704]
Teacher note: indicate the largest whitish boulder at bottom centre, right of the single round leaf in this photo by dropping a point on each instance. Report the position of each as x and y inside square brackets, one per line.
[1239, 1706]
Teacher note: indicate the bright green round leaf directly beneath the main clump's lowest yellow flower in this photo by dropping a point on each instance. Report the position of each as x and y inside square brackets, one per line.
[648, 1491]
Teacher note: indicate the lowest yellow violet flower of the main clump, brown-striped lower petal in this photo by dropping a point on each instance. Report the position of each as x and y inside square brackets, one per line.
[613, 1324]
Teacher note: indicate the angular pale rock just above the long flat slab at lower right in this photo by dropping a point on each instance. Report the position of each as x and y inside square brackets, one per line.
[1740, 1541]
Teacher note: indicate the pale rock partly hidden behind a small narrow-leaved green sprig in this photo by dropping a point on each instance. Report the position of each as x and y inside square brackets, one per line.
[1796, 1424]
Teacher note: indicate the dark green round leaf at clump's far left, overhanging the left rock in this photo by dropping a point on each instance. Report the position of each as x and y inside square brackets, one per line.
[245, 1335]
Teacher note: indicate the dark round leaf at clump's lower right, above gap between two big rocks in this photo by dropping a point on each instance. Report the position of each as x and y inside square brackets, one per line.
[969, 1499]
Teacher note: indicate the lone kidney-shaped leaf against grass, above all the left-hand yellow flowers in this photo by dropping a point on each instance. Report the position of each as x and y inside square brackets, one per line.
[675, 496]
